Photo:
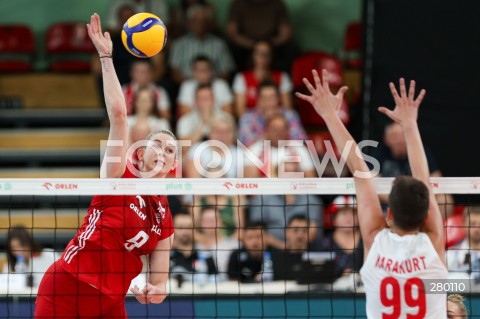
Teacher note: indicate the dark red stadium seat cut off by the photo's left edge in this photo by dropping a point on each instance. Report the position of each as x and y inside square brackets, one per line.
[17, 48]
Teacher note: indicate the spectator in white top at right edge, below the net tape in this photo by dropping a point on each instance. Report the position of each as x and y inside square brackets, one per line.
[465, 257]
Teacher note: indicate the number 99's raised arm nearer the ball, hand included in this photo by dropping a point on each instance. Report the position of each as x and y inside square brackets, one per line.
[326, 104]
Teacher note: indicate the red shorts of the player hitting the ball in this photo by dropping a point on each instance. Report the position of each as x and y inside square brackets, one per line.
[61, 295]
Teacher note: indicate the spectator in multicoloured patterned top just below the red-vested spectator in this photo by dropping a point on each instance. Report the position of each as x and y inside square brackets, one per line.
[252, 123]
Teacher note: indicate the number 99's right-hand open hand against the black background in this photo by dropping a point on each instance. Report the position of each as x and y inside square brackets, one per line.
[406, 108]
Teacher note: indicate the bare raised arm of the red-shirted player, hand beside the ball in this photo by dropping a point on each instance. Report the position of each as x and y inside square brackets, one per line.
[114, 162]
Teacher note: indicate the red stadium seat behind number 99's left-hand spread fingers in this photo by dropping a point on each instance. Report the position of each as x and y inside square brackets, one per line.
[302, 68]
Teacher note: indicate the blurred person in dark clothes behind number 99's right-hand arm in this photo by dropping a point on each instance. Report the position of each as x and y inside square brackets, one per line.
[393, 159]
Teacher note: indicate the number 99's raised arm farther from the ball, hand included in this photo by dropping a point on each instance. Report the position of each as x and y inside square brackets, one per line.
[405, 113]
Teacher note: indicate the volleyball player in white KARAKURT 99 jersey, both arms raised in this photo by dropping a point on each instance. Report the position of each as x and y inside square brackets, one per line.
[408, 246]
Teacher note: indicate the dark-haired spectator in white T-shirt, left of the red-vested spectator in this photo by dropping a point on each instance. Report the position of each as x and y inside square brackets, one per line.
[203, 73]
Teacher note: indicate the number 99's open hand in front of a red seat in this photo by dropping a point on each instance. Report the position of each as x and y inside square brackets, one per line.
[322, 98]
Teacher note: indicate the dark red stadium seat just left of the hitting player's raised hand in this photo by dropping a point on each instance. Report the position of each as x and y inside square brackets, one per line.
[69, 47]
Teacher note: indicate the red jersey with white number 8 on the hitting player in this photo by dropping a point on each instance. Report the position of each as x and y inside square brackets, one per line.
[117, 230]
